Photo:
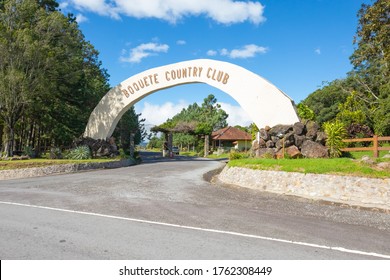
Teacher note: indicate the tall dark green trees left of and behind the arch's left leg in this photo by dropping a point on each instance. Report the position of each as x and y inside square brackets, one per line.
[51, 78]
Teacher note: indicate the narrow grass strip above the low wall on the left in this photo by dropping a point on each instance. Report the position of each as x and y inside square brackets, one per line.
[17, 164]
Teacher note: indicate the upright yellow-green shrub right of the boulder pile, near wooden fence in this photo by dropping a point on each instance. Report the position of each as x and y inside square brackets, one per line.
[336, 132]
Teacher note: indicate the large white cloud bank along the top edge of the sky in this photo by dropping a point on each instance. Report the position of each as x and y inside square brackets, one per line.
[221, 11]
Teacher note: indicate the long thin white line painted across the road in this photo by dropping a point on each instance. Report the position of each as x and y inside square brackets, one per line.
[340, 249]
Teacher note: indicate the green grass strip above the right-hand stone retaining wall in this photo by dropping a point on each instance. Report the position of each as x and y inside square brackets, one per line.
[337, 166]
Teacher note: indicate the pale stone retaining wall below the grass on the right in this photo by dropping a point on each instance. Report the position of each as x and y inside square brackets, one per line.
[357, 191]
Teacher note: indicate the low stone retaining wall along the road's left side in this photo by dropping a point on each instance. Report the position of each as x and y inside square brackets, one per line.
[62, 168]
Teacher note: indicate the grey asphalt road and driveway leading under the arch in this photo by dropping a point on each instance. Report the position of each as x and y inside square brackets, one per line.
[164, 209]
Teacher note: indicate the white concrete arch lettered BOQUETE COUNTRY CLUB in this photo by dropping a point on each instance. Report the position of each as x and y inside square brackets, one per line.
[265, 103]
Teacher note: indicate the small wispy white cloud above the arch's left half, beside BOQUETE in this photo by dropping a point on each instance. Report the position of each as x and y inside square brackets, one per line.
[142, 51]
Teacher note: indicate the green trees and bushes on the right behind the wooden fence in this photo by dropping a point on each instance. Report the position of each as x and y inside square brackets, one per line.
[361, 101]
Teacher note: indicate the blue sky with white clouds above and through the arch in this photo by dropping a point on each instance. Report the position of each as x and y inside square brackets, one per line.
[295, 44]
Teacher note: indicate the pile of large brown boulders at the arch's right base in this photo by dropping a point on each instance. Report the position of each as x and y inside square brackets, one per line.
[298, 140]
